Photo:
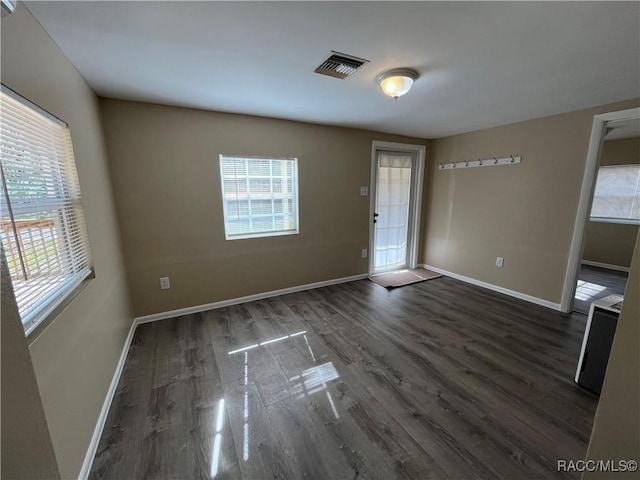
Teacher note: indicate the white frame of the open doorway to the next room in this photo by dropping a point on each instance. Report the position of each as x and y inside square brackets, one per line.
[598, 131]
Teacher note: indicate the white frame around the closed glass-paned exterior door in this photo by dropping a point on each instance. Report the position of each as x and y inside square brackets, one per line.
[420, 152]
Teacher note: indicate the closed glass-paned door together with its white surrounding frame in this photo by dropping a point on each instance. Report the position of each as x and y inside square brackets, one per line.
[397, 172]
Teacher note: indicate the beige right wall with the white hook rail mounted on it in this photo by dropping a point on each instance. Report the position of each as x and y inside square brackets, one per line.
[523, 212]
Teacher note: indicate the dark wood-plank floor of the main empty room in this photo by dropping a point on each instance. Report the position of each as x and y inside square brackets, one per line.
[438, 379]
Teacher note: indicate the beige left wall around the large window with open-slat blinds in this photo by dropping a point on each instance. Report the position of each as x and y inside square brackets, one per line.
[75, 357]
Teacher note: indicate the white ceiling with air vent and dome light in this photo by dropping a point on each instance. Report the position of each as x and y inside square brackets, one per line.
[481, 64]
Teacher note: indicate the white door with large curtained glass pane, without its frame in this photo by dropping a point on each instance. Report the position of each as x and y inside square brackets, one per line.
[393, 213]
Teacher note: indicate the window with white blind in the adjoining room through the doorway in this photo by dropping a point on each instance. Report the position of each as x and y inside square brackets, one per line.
[617, 194]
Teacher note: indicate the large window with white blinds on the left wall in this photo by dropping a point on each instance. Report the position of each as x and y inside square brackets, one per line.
[43, 232]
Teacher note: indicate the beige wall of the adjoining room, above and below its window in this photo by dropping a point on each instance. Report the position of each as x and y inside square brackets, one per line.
[613, 243]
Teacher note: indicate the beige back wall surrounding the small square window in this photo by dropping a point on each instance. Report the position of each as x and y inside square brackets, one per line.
[164, 164]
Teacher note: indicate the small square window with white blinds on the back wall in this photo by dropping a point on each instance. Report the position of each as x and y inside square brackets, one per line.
[259, 196]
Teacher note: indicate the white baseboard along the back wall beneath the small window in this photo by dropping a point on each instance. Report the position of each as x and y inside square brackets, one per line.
[249, 298]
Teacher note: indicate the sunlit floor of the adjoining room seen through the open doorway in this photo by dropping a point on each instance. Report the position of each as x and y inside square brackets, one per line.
[595, 283]
